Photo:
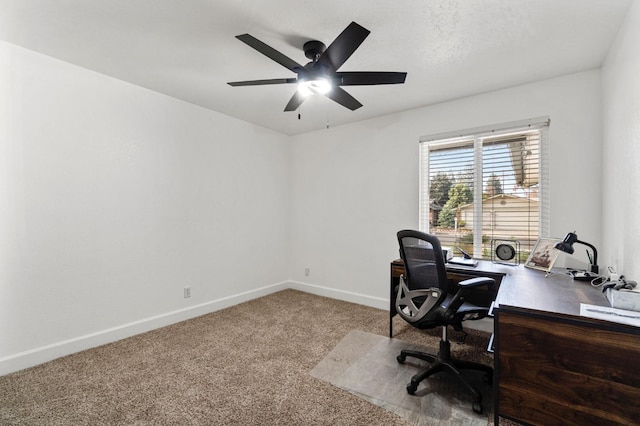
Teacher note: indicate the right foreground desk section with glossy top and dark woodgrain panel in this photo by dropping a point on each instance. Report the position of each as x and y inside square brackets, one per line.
[555, 367]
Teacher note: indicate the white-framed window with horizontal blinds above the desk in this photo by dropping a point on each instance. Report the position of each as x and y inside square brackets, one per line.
[485, 185]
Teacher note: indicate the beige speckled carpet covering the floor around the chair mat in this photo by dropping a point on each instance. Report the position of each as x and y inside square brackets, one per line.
[246, 365]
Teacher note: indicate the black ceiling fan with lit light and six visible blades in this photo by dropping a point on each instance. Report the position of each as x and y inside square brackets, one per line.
[321, 75]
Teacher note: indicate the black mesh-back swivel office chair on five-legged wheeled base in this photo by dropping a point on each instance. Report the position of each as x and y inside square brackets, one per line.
[422, 300]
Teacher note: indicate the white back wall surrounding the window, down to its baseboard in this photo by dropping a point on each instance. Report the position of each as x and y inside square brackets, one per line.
[355, 186]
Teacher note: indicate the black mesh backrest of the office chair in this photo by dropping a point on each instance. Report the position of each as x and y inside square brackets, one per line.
[423, 260]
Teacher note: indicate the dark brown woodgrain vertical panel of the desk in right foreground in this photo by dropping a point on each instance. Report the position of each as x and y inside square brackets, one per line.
[558, 371]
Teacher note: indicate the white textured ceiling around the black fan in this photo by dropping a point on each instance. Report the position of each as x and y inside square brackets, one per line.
[187, 48]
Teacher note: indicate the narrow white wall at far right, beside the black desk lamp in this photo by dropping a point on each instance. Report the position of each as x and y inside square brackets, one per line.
[621, 150]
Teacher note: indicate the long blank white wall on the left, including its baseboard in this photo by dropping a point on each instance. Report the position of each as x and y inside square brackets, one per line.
[113, 198]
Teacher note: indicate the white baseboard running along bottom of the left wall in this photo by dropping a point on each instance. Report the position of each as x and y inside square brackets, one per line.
[47, 353]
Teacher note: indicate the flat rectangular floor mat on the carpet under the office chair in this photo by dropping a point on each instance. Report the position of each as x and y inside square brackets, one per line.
[365, 365]
